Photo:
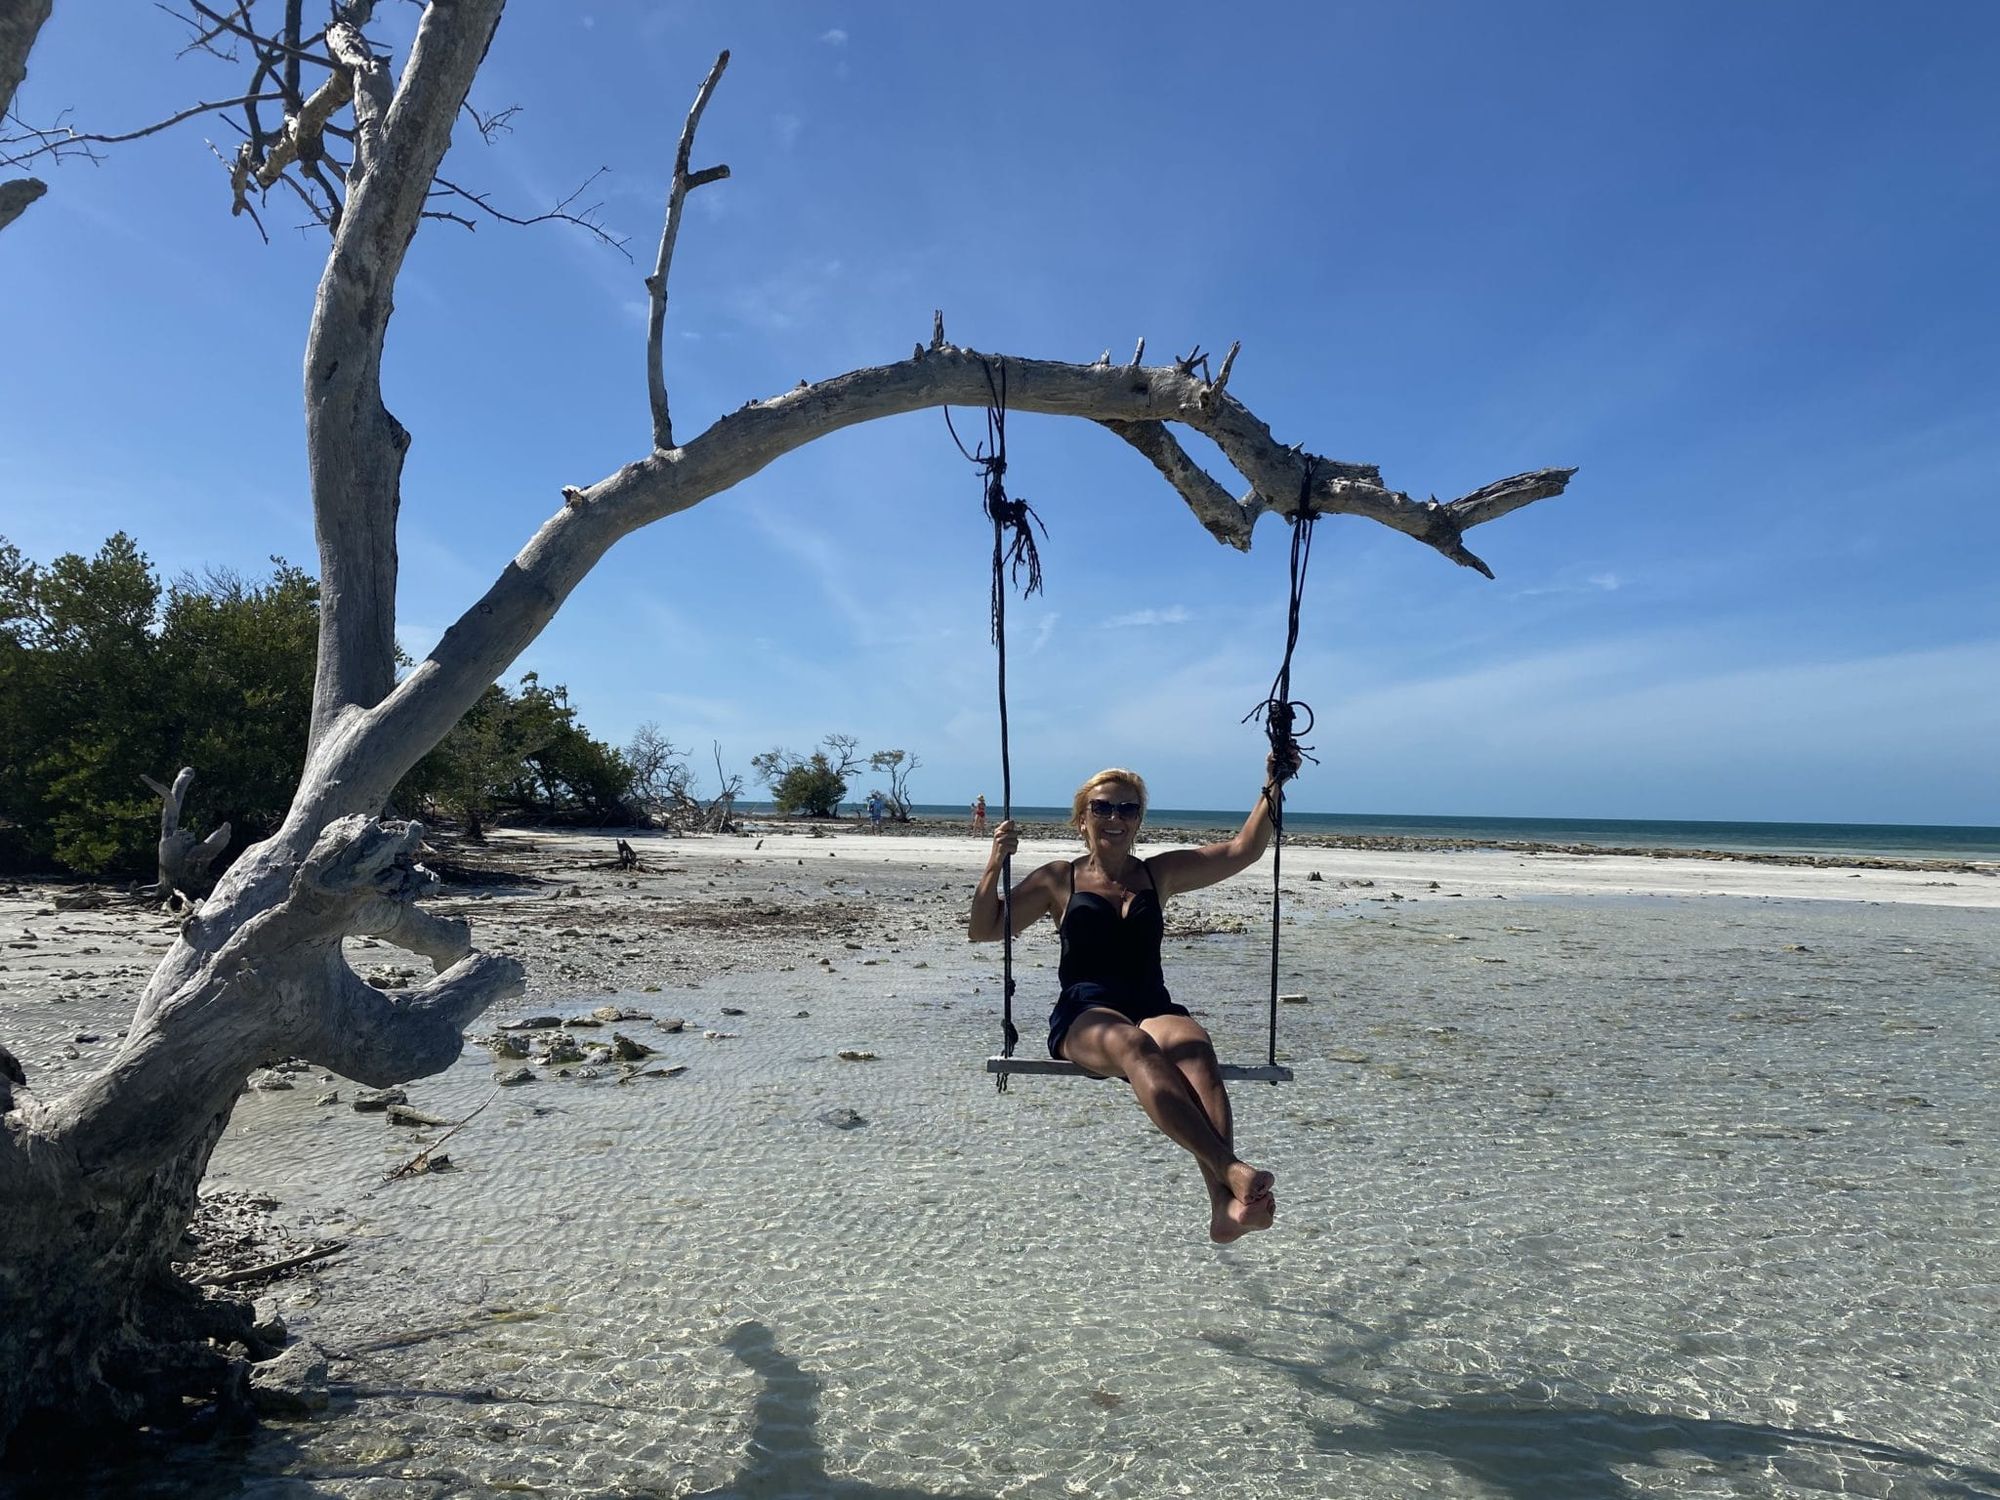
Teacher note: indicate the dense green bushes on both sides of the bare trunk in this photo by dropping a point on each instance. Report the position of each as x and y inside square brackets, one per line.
[109, 677]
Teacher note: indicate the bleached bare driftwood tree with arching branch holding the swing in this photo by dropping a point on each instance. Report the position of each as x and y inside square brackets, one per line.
[99, 1183]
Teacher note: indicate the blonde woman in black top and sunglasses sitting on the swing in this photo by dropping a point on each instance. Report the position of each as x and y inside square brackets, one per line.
[1115, 1017]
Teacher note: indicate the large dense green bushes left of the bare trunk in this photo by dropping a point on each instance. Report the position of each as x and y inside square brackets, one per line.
[105, 681]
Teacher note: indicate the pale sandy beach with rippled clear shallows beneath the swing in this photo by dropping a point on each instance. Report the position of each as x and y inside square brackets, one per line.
[1601, 1175]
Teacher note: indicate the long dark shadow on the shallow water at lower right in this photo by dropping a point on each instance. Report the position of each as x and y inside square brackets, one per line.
[1533, 1443]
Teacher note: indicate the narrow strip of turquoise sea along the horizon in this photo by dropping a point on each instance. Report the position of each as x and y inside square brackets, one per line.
[1879, 839]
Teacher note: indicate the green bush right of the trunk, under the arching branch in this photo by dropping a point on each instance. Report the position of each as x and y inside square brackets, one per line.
[525, 757]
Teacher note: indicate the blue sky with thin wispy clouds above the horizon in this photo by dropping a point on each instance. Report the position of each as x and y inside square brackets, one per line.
[1737, 263]
